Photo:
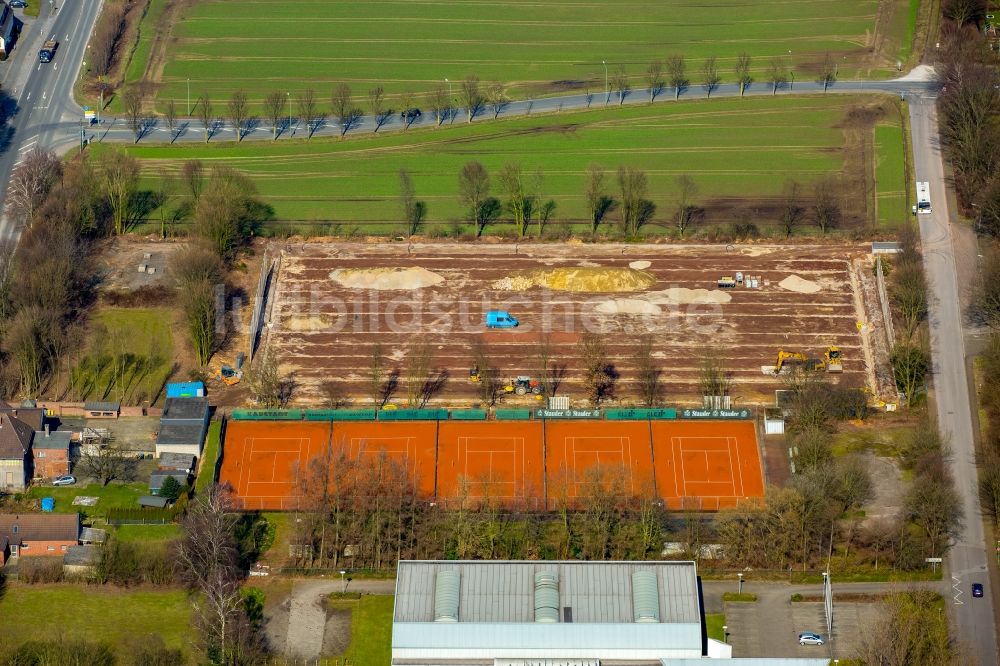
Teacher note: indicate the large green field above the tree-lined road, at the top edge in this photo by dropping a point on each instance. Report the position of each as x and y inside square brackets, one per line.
[536, 48]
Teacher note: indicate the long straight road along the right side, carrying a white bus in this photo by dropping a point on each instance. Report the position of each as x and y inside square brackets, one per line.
[966, 561]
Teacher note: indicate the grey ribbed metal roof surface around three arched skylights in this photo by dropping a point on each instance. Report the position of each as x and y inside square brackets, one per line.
[503, 592]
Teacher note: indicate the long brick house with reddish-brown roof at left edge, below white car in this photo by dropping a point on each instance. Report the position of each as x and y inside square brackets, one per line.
[37, 534]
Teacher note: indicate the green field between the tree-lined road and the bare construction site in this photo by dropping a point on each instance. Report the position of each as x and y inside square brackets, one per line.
[739, 152]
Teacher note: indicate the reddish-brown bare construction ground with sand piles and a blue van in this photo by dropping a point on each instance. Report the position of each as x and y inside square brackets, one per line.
[323, 330]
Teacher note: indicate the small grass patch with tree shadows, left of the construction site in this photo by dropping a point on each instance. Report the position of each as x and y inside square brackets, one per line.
[141, 338]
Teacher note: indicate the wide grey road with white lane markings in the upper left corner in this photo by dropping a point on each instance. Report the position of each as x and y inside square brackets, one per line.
[42, 109]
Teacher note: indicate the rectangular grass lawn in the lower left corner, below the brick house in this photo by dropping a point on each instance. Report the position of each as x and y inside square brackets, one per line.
[95, 613]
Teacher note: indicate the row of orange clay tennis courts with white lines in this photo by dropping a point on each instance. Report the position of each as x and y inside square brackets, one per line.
[707, 464]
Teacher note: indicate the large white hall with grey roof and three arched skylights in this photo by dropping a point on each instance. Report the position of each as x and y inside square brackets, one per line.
[552, 614]
